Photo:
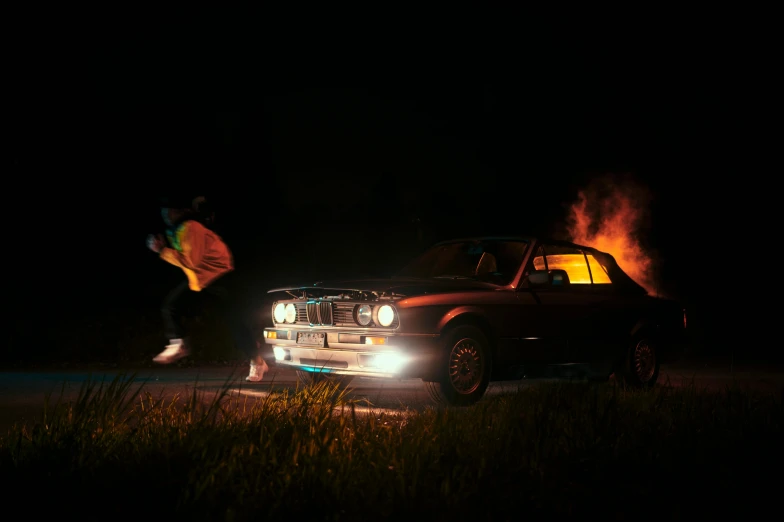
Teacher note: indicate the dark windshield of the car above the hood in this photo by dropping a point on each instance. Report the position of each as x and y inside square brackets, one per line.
[493, 260]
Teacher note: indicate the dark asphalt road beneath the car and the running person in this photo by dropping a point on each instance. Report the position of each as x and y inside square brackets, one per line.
[23, 393]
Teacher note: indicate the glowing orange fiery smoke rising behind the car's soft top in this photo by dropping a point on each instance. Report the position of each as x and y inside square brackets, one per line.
[609, 216]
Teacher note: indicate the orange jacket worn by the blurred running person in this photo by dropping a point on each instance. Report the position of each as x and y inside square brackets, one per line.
[200, 252]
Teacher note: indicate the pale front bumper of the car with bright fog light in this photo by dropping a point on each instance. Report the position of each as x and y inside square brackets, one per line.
[361, 353]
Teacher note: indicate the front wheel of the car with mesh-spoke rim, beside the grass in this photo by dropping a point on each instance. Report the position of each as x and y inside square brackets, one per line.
[467, 347]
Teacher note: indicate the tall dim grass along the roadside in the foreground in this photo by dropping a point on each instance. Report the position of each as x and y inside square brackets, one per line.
[556, 449]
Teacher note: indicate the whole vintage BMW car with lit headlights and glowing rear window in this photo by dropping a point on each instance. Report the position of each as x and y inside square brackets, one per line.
[470, 311]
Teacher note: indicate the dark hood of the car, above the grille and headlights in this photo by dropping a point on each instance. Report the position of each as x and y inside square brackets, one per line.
[398, 286]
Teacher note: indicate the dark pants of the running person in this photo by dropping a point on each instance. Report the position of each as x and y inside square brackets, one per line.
[218, 297]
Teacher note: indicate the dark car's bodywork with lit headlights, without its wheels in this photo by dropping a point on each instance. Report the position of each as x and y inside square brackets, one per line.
[525, 325]
